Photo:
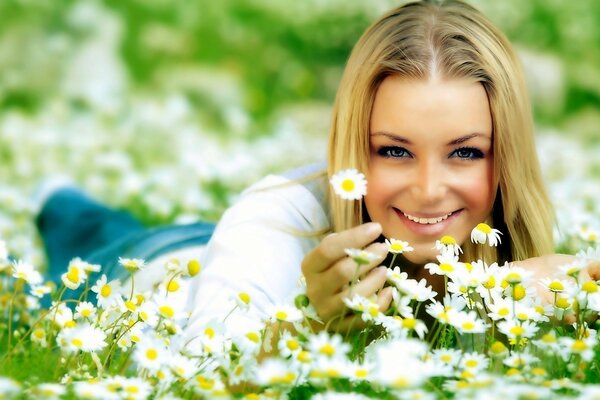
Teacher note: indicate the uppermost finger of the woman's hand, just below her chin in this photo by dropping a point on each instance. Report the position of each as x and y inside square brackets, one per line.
[332, 247]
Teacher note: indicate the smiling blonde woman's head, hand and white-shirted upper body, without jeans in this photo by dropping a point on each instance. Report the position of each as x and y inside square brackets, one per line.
[433, 108]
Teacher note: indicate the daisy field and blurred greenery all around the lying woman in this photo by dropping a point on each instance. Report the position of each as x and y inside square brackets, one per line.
[175, 141]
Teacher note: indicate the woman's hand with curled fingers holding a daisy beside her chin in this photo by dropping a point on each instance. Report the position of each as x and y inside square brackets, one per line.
[329, 271]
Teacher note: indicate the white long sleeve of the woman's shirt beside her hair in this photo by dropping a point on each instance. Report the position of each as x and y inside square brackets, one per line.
[256, 249]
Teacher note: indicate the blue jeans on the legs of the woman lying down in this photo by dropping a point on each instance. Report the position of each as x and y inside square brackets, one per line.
[73, 225]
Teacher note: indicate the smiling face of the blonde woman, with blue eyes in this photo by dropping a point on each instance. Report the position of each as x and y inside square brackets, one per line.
[431, 161]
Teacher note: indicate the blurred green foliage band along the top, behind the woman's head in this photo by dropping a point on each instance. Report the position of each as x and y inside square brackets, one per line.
[242, 62]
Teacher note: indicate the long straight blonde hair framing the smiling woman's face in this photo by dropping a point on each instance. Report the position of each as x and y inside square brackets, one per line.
[449, 39]
